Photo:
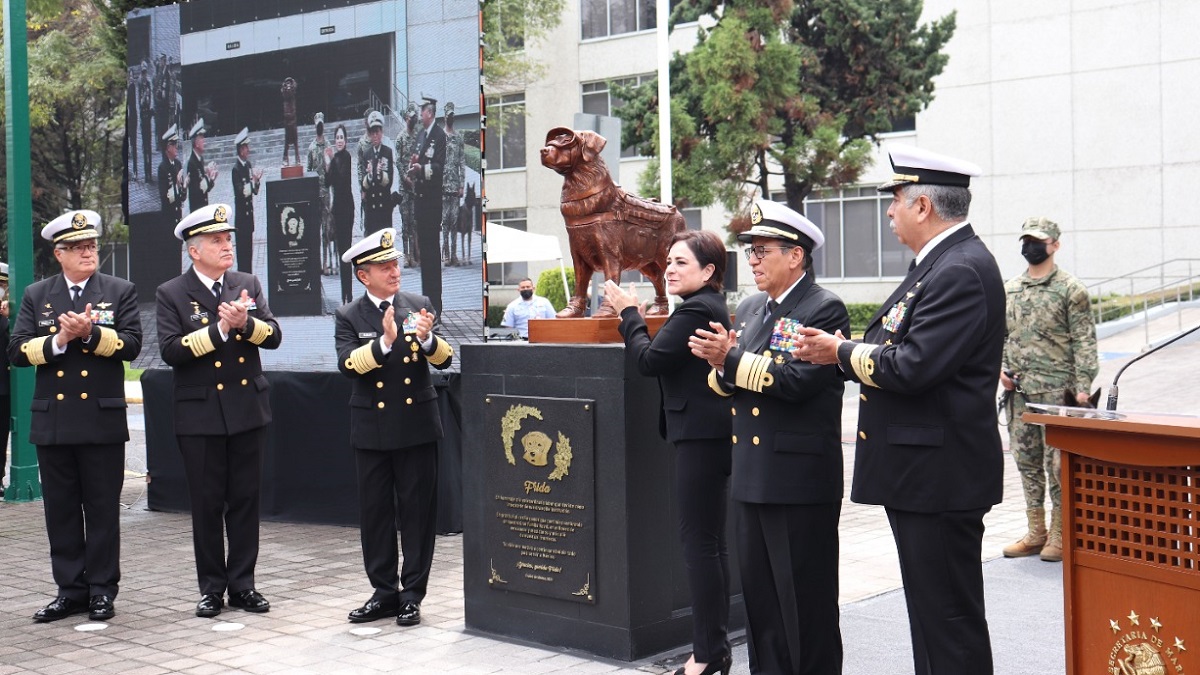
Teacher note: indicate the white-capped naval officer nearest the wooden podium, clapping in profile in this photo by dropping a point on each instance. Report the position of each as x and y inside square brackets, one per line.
[928, 445]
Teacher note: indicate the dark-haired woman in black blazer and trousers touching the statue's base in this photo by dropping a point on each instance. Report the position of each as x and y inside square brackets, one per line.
[697, 421]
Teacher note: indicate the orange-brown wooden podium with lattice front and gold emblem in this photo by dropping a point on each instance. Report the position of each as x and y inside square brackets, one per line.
[1131, 495]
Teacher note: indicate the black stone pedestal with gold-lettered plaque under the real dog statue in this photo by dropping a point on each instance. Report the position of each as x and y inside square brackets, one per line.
[536, 524]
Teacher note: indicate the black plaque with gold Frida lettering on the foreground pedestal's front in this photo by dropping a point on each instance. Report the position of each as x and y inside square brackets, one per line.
[541, 497]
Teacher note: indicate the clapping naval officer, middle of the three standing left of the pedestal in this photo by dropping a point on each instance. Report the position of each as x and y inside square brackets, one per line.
[213, 322]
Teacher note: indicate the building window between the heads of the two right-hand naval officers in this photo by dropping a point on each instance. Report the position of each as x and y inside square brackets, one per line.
[859, 242]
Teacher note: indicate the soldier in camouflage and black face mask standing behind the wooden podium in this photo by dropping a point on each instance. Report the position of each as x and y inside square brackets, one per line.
[1051, 349]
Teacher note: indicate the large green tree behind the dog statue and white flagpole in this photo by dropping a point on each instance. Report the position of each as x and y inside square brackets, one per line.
[795, 89]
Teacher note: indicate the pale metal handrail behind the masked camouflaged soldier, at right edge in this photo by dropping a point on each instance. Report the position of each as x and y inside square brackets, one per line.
[1172, 283]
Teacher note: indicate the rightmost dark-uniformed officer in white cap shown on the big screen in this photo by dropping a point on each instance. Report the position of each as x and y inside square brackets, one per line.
[427, 170]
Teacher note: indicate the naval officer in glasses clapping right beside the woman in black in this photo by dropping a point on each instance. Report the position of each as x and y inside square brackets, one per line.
[788, 477]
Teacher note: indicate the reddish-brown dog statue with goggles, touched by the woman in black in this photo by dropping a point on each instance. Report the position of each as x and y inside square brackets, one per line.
[608, 229]
